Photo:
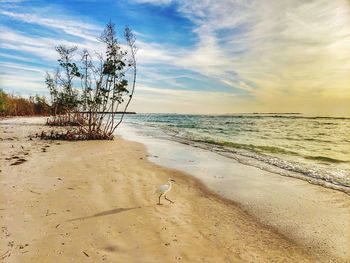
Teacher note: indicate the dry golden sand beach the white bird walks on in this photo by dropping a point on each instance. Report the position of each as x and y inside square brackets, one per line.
[94, 202]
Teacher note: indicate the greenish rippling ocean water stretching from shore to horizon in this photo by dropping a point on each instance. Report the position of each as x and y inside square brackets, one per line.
[316, 149]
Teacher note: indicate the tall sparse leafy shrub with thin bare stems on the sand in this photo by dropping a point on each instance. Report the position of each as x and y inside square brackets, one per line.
[89, 92]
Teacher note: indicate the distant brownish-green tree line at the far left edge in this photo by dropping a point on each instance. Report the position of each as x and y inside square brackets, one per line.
[11, 105]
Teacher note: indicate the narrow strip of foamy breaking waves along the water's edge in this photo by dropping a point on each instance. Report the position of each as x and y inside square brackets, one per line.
[333, 178]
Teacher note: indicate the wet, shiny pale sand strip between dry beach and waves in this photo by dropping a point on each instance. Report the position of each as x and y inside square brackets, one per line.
[309, 214]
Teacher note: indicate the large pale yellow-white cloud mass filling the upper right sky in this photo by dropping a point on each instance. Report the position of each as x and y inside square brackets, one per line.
[280, 50]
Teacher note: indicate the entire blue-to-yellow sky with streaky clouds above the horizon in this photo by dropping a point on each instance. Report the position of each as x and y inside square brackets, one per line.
[195, 56]
